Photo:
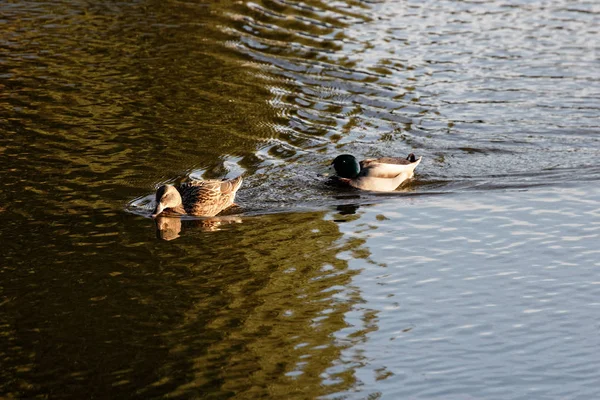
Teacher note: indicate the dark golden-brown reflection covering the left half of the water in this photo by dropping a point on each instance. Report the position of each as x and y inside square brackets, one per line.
[103, 102]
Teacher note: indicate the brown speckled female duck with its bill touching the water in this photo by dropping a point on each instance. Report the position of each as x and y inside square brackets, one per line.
[201, 198]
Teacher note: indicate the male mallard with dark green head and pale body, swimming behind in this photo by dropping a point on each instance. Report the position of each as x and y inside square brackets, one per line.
[376, 174]
